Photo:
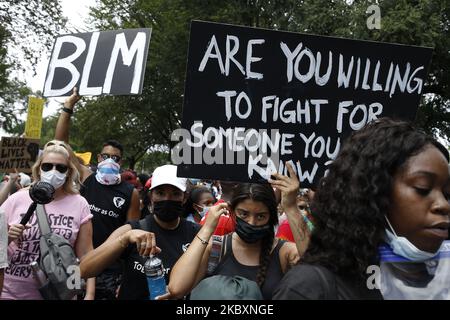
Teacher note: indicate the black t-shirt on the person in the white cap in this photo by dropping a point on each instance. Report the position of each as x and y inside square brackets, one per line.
[173, 244]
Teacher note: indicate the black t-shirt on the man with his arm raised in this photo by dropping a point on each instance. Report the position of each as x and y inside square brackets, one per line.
[109, 206]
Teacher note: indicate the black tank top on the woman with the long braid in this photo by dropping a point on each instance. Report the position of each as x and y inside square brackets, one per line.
[229, 266]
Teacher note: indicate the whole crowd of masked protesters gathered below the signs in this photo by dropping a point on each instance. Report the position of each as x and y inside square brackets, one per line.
[389, 186]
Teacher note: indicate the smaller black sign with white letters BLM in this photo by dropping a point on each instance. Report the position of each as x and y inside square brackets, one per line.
[106, 62]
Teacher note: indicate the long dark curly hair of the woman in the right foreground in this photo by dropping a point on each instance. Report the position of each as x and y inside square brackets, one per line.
[351, 201]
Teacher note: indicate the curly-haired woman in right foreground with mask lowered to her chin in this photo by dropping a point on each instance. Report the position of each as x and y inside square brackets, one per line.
[390, 183]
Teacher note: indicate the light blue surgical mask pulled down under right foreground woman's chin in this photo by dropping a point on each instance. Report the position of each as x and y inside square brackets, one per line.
[403, 247]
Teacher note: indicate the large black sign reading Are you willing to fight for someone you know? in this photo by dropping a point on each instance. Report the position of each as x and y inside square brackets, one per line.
[256, 99]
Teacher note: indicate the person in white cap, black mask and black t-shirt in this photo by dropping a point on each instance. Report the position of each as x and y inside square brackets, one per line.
[134, 242]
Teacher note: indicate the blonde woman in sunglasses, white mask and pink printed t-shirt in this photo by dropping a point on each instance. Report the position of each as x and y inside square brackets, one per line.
[68, 216]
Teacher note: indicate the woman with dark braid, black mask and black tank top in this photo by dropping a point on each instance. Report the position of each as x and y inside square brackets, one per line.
[251, 251]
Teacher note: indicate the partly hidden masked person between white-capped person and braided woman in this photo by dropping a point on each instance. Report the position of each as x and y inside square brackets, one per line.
[198, 203]
